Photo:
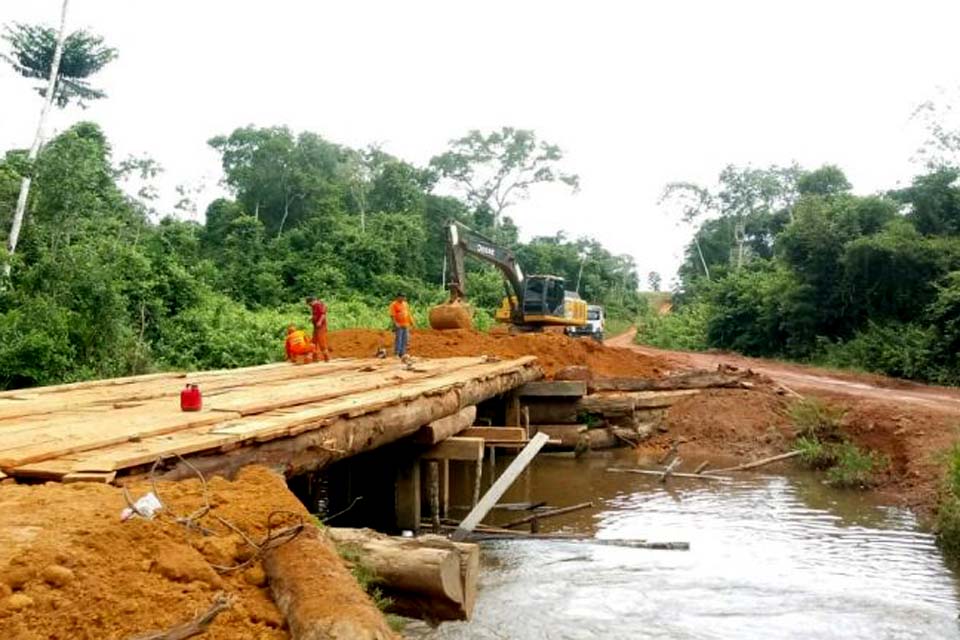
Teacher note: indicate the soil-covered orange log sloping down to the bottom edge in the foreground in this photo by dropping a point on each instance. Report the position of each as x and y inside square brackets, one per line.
[302, 574]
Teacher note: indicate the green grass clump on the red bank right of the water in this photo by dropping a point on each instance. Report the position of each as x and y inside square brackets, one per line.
[823, 446]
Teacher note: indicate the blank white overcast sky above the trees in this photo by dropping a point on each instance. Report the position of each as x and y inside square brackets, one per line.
[636, 93]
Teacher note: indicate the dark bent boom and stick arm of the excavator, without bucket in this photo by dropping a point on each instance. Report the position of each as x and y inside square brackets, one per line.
[463, 241]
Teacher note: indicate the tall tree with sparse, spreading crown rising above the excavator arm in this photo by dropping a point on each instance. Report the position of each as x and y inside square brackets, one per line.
[495, 170]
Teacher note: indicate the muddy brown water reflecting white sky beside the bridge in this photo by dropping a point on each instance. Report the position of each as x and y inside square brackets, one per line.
[771, 557]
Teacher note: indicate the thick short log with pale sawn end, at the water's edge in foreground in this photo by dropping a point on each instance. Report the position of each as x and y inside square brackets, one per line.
[428, 577]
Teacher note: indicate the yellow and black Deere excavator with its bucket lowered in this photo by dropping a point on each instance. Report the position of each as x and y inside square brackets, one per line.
[532, 303]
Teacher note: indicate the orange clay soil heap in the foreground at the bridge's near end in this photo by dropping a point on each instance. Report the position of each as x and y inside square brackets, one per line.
[69, 568]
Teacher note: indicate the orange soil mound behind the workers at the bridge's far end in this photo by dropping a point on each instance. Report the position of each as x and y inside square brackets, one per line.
[553, 351]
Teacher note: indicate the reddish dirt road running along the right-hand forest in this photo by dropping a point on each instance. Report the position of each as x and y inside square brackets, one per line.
[805, 379]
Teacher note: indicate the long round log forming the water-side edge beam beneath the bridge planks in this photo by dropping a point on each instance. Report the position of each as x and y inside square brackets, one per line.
[348, 436]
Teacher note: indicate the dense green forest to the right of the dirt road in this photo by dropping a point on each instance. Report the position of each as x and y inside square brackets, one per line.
[789, 263]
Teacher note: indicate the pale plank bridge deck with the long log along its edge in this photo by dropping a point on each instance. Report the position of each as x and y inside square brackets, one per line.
[317, 412]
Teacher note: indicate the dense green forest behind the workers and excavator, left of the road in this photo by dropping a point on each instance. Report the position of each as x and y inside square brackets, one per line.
[103, 285]
